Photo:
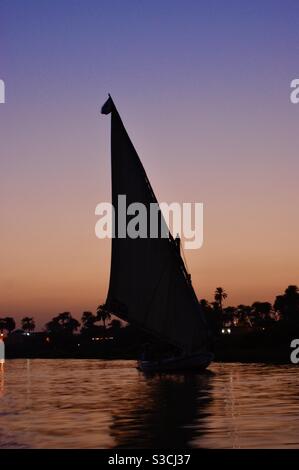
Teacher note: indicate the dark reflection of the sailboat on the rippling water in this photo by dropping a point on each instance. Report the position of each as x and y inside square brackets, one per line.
[165, 414]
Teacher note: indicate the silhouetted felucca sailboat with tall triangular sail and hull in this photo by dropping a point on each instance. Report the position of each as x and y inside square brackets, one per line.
[149, 284]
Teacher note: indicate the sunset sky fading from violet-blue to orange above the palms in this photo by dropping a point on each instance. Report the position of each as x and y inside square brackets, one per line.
[203, 88]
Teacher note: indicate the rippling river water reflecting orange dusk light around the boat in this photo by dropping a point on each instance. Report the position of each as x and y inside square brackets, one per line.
[109, 404]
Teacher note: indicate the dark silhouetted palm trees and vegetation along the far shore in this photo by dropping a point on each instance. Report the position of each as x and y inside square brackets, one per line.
[261, 332]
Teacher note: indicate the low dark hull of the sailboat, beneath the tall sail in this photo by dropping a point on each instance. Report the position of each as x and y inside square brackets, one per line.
[195, 362]
